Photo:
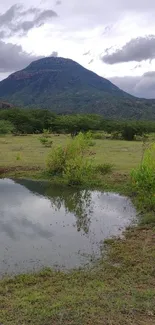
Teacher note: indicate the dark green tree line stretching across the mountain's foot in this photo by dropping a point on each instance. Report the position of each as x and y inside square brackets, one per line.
[35, 121]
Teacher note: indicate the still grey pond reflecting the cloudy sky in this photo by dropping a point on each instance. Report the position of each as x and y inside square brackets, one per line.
[43, 225]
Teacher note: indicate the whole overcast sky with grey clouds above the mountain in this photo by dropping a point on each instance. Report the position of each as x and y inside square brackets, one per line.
[114, 38]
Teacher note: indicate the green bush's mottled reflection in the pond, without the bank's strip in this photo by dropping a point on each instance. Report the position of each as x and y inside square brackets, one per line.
[77, 202]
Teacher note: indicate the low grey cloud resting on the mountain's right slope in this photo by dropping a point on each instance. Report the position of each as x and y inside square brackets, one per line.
[140, 86]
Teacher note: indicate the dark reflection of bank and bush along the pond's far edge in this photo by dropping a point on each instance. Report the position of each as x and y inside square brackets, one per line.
[74, 200]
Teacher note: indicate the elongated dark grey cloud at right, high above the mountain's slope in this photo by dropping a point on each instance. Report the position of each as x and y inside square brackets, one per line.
[138, 49]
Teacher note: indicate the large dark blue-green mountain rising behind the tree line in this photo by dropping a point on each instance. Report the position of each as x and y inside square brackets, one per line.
[64, 86]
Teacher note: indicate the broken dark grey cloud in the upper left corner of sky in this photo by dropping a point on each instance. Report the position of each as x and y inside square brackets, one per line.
[17, 20]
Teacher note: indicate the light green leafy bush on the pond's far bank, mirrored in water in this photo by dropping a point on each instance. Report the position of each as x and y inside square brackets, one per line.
[73, 161]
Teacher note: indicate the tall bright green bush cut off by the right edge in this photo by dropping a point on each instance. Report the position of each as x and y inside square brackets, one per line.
[143, 179]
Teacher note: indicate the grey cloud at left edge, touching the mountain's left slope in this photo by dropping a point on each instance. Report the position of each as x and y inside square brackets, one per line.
[12, 57]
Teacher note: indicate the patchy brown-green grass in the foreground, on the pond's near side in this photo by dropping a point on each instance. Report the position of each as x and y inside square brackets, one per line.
[117, 291]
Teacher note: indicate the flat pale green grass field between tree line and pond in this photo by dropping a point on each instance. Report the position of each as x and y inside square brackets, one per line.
[28, 152]
